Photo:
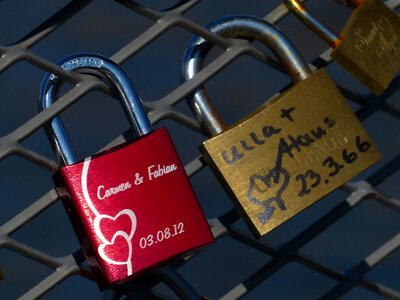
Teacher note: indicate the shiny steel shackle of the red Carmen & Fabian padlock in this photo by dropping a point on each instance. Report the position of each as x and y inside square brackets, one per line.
[91, 63]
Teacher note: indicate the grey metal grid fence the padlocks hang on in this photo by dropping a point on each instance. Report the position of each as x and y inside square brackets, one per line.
[165, 108]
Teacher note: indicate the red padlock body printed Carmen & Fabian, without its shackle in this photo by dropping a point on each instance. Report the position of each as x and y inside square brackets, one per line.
[133, 207]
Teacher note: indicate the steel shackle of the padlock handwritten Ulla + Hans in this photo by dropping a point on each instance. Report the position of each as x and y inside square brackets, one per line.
[236, 26]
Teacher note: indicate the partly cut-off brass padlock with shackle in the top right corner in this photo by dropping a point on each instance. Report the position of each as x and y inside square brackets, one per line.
[369, 45]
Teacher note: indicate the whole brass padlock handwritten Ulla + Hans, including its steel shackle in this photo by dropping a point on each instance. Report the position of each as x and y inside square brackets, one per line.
[292, 150]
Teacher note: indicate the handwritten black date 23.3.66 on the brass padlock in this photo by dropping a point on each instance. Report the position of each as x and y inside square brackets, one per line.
[314, 179]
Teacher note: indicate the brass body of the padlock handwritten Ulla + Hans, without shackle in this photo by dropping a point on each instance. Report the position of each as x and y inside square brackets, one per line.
[291, 152]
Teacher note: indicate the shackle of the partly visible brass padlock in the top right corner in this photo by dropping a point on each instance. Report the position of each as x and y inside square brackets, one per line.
[320, 29]
